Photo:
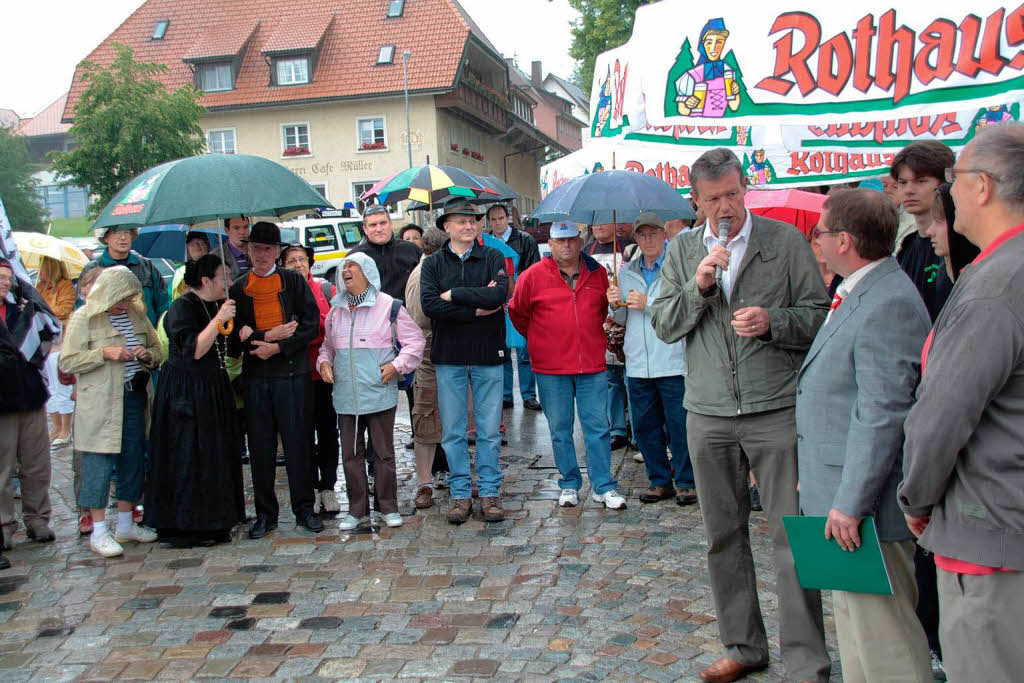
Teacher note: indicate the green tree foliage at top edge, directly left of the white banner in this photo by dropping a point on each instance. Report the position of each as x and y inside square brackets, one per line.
[603, 26]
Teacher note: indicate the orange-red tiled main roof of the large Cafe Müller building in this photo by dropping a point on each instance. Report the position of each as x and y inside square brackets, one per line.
[436, 32]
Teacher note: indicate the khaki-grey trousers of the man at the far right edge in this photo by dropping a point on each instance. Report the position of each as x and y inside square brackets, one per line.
[979, 626]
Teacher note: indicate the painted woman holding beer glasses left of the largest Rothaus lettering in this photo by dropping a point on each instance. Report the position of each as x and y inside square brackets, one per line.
[712, 88]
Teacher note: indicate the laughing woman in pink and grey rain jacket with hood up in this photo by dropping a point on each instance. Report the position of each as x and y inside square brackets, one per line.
[360, 358]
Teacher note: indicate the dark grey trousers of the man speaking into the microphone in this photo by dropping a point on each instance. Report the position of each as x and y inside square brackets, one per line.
[723, 452]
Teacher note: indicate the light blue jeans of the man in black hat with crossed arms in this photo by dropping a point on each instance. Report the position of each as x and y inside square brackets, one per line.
[453, 397]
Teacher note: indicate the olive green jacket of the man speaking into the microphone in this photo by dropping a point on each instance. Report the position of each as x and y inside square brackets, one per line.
[729, 375]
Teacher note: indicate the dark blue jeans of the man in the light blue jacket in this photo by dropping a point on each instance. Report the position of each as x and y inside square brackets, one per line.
[658, 407]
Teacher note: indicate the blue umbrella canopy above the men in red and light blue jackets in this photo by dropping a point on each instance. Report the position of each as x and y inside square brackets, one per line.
[613, 197]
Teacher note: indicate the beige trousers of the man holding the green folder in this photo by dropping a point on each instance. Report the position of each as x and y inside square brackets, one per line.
[881, 639]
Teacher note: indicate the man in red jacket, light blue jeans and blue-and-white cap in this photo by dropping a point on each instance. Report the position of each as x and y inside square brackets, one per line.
[560, 307]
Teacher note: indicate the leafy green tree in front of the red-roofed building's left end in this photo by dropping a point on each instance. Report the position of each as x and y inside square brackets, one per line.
[127, 122]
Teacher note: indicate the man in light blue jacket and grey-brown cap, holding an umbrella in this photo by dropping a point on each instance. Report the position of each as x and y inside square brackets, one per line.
[655, 371]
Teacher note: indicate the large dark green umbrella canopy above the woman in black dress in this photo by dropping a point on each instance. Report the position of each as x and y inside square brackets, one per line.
[207, 188]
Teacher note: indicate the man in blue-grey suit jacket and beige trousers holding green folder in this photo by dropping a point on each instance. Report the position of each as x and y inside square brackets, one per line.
[854, 394]
